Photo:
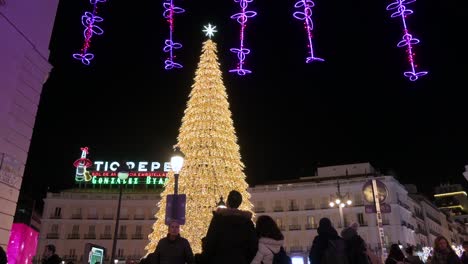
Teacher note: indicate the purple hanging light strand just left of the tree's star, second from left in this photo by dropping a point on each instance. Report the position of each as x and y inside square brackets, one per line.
[169, 44]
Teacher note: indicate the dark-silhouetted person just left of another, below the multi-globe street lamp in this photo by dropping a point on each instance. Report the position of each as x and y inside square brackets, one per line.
[325, 233]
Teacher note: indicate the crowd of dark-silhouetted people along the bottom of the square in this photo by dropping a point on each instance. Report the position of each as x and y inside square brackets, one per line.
[232, 238]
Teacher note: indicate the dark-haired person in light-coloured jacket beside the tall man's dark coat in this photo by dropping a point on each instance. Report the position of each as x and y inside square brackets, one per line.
[270, 240]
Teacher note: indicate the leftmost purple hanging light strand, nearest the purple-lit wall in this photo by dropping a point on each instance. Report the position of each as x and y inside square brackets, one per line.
[89, 20]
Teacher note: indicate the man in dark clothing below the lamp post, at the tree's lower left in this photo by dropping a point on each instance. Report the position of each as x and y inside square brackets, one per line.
[173, 249]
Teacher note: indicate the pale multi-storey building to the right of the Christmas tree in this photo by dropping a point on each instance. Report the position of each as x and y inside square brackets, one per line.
[297, 206]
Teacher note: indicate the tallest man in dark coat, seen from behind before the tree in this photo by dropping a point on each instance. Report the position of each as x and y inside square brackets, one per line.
[231, 236]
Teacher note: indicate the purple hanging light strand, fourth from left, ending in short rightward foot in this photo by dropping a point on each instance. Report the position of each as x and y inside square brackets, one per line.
[306, 15]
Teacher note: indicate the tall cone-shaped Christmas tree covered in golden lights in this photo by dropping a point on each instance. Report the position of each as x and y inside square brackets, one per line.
[212, 166]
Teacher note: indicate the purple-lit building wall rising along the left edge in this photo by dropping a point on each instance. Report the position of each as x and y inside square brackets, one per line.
[27, 25]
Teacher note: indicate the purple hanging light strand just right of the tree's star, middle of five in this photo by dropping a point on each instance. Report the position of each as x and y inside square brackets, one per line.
[241, 52]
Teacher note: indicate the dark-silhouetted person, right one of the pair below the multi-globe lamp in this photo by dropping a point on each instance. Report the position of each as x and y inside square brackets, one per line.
[356, 248]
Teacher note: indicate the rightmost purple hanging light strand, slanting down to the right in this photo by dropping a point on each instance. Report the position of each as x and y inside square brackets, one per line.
[407, 39]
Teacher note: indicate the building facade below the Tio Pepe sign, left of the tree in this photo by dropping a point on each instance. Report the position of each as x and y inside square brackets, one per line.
[73, 218]
